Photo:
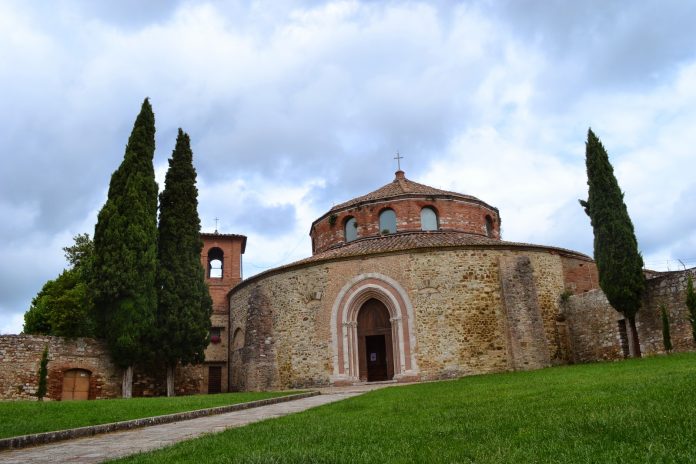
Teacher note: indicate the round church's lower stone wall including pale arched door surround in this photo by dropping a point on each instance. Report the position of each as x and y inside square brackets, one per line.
[455, 312]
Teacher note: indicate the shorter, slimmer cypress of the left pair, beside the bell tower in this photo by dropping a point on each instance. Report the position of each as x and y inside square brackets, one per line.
[184, 304]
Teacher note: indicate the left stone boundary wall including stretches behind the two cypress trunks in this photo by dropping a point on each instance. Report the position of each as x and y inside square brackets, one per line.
[20, 356]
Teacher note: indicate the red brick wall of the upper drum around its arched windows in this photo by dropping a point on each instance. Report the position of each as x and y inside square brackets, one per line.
[453, 214]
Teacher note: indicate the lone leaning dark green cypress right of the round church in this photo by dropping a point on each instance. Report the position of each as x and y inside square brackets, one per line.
[619, 262]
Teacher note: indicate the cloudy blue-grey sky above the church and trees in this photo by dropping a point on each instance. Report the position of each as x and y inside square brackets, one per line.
[295, 106]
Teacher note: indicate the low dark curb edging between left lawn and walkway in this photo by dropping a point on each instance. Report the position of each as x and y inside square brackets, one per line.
[24, 441]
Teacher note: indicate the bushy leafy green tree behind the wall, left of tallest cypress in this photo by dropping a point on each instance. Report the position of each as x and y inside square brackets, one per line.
[64, 307]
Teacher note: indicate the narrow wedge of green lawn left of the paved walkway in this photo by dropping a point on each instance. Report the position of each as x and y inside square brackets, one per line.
[25, 417]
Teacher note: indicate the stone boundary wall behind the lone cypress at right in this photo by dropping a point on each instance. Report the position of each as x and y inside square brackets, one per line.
[593, 325]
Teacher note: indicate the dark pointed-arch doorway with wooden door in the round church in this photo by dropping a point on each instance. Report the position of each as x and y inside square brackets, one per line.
[375, 351]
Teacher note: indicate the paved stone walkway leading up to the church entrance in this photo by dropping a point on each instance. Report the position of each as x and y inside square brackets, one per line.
[115, 445]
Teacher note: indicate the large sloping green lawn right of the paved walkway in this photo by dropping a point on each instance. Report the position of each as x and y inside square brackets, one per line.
[637, 411]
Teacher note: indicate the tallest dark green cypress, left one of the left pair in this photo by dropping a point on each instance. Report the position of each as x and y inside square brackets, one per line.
[125, 252]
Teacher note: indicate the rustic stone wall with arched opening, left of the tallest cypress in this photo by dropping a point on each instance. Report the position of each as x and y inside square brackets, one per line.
[20, 356]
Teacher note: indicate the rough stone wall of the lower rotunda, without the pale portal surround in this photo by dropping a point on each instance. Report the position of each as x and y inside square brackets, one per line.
[460, 326]
